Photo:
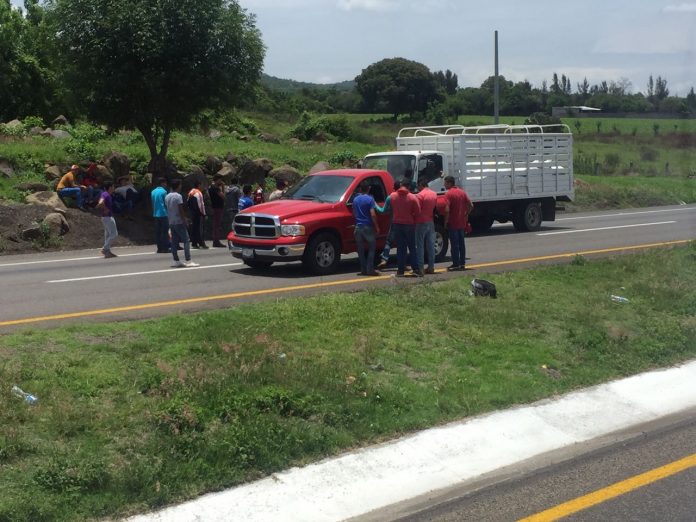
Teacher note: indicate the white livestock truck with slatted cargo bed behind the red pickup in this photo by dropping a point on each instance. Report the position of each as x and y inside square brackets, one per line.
[511, 172]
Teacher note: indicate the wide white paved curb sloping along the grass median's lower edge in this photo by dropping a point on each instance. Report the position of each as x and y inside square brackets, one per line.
[378, 476]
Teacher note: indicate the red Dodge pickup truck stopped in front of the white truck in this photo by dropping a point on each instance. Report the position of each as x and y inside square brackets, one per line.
[312, 223]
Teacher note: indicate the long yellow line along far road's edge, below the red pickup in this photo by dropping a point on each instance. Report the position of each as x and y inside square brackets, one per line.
[238, 295]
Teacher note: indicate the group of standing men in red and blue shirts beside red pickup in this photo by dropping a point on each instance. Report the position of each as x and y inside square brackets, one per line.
[412, 227]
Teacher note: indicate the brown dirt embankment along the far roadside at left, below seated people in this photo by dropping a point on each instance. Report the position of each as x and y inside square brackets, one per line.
[85, 229]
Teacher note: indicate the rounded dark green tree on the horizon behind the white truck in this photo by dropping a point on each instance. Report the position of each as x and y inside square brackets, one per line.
[397, 86]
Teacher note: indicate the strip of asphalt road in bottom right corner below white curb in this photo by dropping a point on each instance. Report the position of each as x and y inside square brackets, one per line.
[594, 477]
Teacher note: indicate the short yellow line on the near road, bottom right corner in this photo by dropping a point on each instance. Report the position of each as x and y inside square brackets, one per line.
[615, 490]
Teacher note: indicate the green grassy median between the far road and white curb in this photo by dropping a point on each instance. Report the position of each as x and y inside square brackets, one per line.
[136, 415]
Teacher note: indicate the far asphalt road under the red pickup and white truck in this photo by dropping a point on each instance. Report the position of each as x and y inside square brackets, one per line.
[47, 289]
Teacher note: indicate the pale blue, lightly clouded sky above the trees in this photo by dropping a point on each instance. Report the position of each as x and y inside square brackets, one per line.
[326, 41]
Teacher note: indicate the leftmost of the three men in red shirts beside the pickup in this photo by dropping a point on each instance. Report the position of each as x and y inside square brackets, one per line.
[405, 211]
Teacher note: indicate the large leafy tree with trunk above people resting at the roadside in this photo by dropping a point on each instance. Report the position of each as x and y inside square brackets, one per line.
[155, 64]
